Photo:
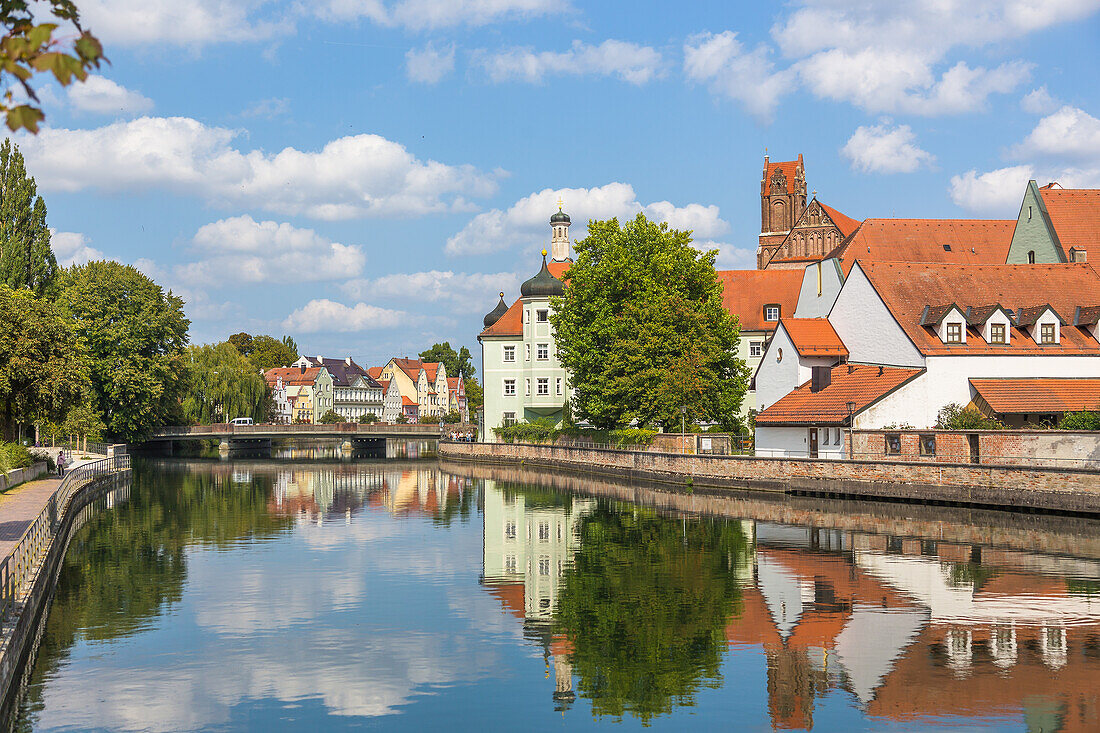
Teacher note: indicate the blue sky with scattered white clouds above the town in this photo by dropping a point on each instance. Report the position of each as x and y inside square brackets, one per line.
[366, 176]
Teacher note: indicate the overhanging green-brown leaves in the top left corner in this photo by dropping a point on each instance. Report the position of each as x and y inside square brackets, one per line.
[29, 48]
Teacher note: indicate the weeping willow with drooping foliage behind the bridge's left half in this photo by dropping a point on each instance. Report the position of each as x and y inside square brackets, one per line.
[224, 386]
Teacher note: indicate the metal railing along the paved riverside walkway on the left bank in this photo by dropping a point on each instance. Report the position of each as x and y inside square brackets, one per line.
[18, 568]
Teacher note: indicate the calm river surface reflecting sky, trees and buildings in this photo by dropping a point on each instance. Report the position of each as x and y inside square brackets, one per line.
[323, 596]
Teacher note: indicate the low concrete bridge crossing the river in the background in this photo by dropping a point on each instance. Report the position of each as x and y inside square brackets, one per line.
[349, 435]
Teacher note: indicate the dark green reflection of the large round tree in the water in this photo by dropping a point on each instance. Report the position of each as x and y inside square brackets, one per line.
[645, 605]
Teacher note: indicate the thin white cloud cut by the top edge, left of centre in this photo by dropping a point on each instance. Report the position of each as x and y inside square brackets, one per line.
[425, 15]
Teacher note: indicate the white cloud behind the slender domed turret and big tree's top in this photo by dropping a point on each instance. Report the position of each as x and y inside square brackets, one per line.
[527, 221]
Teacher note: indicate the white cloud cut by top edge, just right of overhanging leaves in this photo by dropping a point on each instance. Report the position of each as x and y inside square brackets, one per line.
[192, 24]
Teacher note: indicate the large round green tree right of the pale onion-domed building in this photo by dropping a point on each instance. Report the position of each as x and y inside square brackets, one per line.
[643, 331]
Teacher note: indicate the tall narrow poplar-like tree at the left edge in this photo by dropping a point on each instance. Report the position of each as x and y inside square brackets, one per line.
[26, 257]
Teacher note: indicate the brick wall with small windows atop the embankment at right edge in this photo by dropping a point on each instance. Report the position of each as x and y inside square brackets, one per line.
[1049, 448]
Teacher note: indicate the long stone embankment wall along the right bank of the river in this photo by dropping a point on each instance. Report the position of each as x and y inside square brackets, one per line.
[1068, 490]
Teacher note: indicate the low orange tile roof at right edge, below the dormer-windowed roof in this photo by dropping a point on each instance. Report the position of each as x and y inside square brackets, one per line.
[1039, 395]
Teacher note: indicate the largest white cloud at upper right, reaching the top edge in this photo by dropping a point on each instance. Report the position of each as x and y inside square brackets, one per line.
[881, 57]
